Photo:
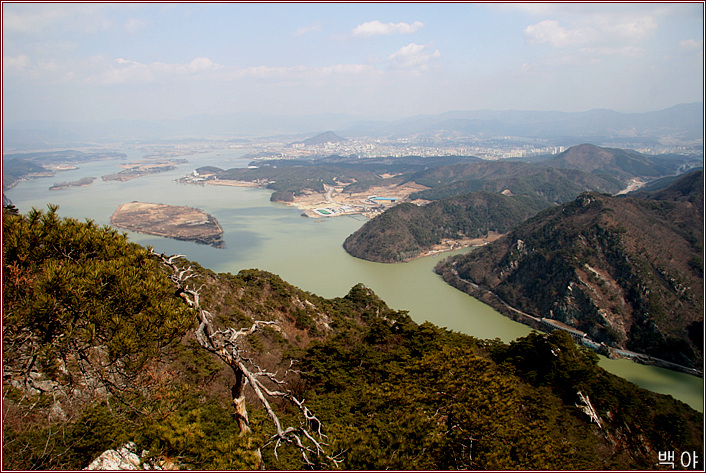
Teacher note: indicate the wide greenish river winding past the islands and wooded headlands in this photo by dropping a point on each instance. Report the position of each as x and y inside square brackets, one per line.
[303, 251]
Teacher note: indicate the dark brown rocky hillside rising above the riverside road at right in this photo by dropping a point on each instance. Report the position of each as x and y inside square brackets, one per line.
[627, 271]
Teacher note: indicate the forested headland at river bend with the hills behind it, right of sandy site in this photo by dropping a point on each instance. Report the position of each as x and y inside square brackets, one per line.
[405, 233]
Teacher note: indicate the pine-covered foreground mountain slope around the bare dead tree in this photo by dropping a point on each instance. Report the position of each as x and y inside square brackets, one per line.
[100, 349]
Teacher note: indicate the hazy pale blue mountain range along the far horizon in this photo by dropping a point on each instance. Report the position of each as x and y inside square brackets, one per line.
[679, 124]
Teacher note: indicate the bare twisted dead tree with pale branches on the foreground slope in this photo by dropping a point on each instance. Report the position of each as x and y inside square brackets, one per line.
[227, 345]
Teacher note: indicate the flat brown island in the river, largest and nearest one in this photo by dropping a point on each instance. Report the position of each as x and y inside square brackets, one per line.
[170, 221]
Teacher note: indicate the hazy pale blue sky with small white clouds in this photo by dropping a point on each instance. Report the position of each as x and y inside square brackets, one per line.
[151, 61]
